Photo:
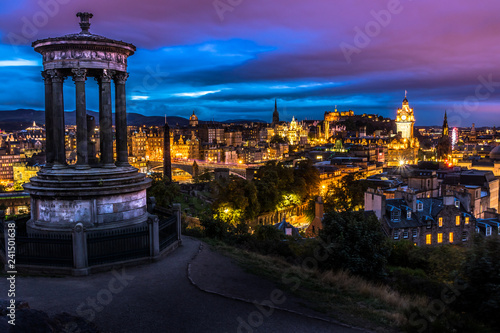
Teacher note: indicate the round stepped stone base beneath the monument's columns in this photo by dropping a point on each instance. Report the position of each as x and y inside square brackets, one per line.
[99, 198]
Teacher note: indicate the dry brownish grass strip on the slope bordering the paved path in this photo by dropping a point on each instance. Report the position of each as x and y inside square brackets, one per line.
[346, 298]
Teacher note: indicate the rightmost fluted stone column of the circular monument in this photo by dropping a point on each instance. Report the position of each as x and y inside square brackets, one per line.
[121, 119]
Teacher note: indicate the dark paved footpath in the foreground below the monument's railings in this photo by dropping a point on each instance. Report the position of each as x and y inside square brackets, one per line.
[191, 290]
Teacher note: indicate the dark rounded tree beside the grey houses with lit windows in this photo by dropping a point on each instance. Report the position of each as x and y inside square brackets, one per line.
[355, 242]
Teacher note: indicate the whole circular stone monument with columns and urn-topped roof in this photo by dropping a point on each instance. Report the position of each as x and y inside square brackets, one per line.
[98, 191]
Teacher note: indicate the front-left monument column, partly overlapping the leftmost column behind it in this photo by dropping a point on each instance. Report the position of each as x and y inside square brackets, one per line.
[58, 118]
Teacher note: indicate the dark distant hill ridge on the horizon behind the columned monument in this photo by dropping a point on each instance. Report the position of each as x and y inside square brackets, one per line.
[14, 120]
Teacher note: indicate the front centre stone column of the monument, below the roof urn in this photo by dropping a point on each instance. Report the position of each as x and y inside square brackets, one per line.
[80, 76]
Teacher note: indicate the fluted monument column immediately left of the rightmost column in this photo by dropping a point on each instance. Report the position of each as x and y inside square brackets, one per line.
[106, 120]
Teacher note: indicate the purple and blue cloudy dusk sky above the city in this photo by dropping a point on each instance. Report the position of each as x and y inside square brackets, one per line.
[229, 59]
